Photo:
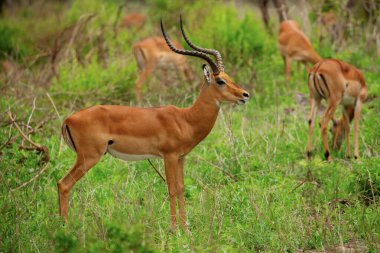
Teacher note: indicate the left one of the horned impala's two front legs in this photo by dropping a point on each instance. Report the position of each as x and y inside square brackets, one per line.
[171, 165]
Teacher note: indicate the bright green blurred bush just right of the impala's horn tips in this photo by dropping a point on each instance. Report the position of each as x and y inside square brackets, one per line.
[239, 40]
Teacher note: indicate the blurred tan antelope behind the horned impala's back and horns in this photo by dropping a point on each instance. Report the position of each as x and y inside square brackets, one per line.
[152, 53]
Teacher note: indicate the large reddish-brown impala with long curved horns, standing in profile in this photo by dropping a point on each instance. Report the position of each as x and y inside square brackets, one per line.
[166, 132]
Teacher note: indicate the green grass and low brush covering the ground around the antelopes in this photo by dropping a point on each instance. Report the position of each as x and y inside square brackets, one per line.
[248, 185]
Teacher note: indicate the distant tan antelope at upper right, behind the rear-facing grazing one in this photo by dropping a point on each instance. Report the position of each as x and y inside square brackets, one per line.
[294, 45]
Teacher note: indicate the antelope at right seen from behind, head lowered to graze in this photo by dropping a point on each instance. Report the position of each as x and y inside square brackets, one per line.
[338, 83]
